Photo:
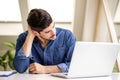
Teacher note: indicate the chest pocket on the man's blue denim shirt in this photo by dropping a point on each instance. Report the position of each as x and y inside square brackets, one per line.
[59, 55]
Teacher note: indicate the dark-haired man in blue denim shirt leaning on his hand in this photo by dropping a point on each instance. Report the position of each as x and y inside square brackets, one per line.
[43, 48]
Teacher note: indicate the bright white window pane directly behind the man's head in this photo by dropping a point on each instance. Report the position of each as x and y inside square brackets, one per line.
[60, 10]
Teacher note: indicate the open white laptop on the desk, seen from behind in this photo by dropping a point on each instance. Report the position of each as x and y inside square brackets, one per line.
[92, 59]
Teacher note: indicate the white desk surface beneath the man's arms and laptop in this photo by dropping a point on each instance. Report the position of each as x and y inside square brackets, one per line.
[115, 76]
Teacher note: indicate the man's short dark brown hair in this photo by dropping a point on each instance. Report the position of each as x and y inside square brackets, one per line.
[39, 19]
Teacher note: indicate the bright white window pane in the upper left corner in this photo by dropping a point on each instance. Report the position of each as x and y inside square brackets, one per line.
[9, 10]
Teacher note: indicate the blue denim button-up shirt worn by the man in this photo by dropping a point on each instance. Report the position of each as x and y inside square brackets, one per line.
[57, 52]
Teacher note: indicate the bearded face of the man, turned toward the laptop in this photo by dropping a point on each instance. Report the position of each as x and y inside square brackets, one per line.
[49, 33]
